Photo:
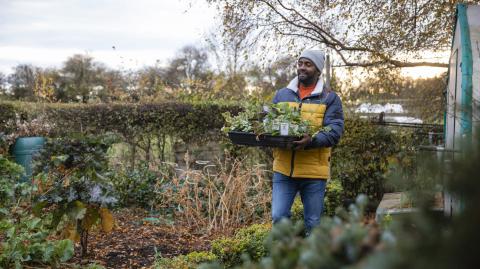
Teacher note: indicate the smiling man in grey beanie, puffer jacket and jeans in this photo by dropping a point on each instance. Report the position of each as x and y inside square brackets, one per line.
[306, 168]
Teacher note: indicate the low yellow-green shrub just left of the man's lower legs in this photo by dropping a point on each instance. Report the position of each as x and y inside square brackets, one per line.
[246, 241]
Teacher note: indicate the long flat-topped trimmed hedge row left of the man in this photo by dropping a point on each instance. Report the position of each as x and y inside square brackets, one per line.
[187, 121]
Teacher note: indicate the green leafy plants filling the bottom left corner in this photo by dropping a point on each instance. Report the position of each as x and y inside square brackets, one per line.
[25, 237]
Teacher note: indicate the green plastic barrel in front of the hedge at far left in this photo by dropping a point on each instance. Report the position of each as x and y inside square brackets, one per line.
[23, 151]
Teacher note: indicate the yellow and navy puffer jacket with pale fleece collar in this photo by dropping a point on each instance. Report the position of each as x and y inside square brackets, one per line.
[322, 108]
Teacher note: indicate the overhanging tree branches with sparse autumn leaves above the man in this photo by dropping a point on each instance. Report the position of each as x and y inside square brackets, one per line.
[362, 33]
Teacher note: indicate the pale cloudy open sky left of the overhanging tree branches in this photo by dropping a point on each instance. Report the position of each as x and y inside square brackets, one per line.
[46, 32]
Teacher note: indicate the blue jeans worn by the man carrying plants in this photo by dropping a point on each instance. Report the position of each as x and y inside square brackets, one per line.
[312, 192]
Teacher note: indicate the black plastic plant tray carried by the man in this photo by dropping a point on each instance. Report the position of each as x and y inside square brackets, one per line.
[262, 140]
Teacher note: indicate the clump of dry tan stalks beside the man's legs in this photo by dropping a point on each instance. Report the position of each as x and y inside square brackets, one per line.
[219, 197]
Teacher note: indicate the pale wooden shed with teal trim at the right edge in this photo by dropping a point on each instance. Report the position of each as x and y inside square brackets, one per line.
[463, 91]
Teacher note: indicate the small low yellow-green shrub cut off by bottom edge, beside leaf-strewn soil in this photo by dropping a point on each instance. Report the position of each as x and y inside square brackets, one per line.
[189, 261]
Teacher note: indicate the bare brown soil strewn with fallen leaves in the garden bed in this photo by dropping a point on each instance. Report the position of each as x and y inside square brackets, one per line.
[134, 242]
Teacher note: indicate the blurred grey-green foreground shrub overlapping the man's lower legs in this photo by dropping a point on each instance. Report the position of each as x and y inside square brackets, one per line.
[337, 243]
